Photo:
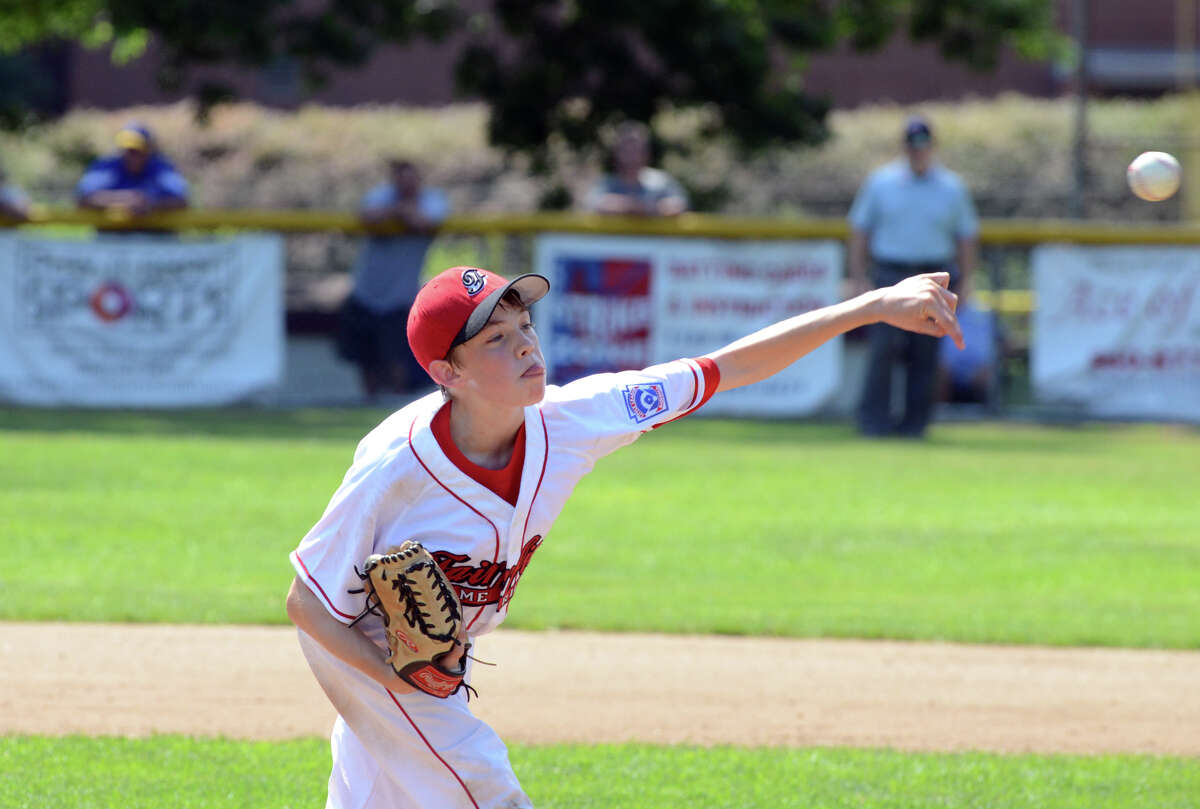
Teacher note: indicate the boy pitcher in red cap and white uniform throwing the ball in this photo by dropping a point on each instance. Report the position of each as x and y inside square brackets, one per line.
[476, 476]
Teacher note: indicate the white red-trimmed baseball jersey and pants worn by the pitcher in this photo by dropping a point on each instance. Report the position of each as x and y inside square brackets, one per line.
[415, 750]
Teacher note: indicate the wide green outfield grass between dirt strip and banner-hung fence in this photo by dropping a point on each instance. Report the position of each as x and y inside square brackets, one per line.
[993, 534]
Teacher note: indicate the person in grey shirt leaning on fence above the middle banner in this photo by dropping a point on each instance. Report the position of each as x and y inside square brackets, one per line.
[634, 189]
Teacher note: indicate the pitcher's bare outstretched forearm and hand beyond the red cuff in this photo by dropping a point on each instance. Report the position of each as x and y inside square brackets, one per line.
[922, 304]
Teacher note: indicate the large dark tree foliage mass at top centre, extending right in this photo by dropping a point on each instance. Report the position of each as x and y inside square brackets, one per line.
[568, 69]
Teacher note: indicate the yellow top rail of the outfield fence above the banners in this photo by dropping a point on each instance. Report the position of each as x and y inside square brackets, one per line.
[1004, 279]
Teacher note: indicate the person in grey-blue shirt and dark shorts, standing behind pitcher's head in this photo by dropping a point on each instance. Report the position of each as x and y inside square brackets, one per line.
[375, 316]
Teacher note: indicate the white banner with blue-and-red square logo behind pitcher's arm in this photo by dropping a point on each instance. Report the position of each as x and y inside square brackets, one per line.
[622, 303]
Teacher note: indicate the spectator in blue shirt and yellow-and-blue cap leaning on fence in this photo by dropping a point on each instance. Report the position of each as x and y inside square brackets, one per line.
[137, 179]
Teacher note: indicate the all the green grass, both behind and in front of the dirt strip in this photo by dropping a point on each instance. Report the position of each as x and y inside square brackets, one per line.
[995, 534]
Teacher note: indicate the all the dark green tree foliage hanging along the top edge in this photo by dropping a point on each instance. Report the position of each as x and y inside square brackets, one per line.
[556, 69]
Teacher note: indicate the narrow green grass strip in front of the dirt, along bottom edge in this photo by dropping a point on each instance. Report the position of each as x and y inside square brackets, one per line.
[183, 774]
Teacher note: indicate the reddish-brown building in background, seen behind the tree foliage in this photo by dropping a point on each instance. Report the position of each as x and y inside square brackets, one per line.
[1132, 47]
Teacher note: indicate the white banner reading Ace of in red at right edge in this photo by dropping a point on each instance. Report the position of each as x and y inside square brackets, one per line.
[1118, 331]
